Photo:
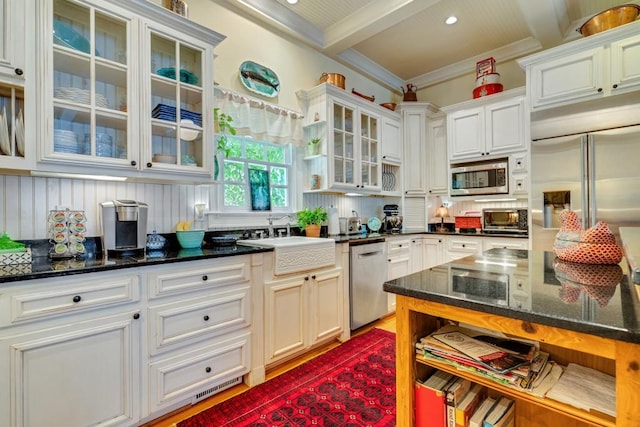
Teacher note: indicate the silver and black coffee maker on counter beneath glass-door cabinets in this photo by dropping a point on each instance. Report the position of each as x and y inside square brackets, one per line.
[124, 226]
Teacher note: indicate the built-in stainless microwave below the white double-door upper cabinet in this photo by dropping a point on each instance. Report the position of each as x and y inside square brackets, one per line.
[480, 178]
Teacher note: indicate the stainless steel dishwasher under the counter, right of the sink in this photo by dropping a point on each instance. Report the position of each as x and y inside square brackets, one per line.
[368, 271]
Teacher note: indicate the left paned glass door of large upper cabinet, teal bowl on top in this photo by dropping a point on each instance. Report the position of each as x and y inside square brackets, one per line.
[90, 83]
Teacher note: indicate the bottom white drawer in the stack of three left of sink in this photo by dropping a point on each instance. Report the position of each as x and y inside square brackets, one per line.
[180, 378]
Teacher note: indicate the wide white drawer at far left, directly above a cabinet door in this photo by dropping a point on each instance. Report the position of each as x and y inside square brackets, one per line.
[65, 296]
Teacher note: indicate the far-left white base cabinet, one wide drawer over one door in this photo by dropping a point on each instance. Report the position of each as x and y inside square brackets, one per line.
[71, 351]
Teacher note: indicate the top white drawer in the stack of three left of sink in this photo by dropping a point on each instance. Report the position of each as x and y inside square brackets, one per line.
[199, 275]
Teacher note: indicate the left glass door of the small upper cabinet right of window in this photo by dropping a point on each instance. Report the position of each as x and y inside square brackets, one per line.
[343, 145]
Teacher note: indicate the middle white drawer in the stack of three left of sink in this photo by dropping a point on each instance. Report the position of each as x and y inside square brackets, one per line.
[190, 320]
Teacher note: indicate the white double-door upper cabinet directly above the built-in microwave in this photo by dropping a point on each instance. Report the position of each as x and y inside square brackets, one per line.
[487, 126]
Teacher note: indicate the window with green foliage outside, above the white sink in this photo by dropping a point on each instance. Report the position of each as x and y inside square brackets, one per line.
[246, 153]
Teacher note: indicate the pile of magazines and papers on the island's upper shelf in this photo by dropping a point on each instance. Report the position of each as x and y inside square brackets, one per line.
[512, 363]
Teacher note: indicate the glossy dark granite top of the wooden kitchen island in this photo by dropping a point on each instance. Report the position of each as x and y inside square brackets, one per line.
[596, 300]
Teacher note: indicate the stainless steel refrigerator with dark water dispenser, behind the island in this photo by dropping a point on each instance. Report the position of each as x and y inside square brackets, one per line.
[596, 174]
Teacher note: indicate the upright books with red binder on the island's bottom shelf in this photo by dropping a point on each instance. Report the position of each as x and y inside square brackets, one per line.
[444, 400]
